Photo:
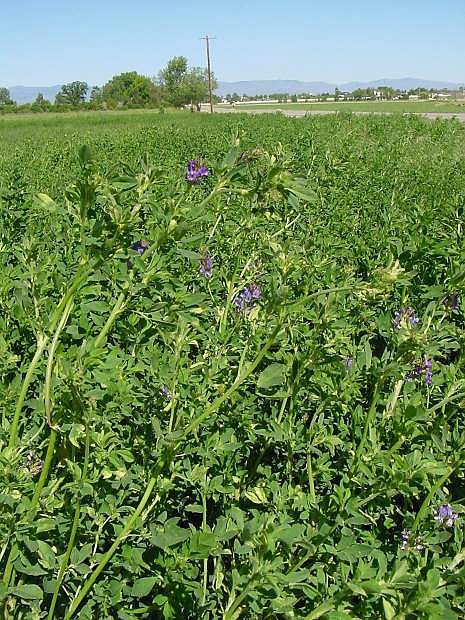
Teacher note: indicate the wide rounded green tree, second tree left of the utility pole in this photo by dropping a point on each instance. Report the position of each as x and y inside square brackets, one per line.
[130, 88]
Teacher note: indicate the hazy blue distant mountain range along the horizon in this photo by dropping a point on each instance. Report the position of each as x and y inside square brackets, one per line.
[27, 94]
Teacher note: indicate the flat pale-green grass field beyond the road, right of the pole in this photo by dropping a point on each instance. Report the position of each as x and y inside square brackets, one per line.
[414, 107]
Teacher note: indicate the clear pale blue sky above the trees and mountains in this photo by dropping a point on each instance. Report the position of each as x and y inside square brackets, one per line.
[47, 42]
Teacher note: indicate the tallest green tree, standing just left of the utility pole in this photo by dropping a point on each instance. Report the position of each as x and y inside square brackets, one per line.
[182, 85]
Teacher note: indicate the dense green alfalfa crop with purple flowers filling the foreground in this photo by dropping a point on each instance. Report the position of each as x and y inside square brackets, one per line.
[232, 379]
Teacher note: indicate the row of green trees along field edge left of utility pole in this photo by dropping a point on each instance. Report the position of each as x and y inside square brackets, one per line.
[176, 85]
